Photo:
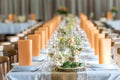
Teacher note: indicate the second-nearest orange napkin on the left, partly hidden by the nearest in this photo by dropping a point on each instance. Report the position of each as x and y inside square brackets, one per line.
[35, 44]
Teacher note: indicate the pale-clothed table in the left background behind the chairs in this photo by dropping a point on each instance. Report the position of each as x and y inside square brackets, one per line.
[13, 28]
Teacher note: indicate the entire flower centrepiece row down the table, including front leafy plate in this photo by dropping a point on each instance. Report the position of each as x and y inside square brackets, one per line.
[70, 44]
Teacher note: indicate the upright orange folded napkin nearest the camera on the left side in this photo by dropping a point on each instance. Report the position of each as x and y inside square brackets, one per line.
[25, 52]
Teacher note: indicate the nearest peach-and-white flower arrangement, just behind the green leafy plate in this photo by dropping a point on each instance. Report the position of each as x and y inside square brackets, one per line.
[74, 44]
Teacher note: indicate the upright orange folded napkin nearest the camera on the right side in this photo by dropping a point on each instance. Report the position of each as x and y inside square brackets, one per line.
[104, 51]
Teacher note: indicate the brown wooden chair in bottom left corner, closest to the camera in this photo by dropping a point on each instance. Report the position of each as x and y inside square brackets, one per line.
[3, 66]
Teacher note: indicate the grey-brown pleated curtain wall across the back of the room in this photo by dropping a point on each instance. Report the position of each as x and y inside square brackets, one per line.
[45, 9]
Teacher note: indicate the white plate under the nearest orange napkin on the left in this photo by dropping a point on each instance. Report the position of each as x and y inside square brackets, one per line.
[33, 67]
